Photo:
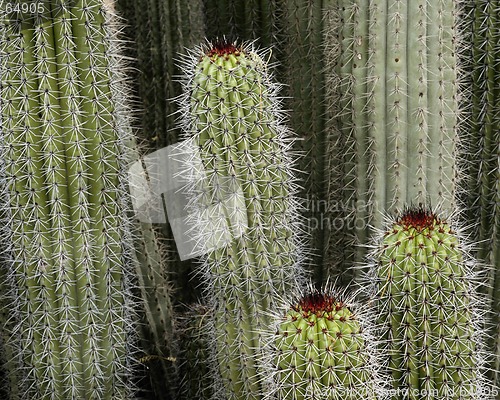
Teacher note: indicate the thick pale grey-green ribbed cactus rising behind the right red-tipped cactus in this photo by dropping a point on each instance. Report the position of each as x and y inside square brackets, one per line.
[394, 115]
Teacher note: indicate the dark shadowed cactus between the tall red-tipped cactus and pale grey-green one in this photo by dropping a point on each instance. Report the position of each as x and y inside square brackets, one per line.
[301, 54]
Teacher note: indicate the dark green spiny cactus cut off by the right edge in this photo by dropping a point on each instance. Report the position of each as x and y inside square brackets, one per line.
[481, 194]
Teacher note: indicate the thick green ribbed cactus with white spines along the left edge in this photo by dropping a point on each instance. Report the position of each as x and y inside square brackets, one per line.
[63, 127]
